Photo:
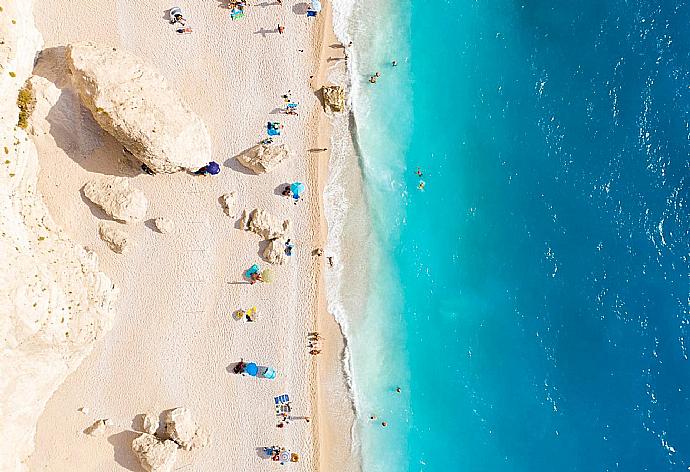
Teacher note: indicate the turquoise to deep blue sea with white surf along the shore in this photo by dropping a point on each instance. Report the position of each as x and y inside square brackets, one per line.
[532, 301]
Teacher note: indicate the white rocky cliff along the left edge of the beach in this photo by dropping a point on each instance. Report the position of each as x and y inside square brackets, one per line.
[55, 303]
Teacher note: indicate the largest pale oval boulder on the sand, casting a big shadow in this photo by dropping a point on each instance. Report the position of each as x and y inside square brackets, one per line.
[132, 102]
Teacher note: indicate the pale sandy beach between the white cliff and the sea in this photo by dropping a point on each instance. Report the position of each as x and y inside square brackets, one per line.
[174, 341]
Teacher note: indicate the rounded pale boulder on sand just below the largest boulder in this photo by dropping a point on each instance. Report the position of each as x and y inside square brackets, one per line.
[117, 198]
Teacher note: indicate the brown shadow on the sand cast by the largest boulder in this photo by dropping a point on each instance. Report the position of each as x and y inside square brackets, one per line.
[72, 126]
